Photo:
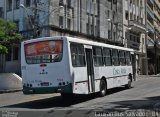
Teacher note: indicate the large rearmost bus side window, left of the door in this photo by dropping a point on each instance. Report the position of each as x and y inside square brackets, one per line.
[77, 55]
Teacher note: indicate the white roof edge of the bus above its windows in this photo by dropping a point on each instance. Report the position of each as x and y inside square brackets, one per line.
[78, 40]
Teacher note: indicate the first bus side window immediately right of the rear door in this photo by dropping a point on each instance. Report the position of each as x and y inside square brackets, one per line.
[97, 56]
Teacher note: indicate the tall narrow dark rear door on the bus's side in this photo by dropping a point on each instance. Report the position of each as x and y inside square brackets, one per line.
[90, 70]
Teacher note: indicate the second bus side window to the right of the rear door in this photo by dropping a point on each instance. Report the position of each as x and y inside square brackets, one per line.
[107, 56]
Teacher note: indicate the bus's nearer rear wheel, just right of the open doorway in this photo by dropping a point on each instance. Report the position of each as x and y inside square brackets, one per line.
[103, 88]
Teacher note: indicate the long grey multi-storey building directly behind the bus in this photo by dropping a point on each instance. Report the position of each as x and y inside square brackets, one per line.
[98, 20]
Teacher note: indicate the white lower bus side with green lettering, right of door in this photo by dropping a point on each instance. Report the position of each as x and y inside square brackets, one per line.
[115, 75]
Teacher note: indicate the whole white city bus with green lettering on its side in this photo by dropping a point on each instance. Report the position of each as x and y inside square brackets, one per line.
[73, 66]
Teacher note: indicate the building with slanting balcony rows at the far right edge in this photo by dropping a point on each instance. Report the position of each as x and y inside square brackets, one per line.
[153, 35]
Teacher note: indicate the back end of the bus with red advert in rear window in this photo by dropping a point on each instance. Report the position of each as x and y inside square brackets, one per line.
[45, 67]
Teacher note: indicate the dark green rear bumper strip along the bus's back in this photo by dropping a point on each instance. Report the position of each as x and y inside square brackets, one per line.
[45, 90]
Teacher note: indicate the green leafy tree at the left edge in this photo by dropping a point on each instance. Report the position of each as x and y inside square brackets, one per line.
[8, 35]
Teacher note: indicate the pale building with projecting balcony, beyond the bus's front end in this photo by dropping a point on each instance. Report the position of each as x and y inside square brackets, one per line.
[134, 30]
